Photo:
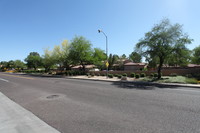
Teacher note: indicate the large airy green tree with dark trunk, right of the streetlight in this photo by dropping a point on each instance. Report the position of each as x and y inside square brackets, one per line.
[159, 43]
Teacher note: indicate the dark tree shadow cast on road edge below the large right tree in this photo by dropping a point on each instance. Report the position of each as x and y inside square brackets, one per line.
[143, 85]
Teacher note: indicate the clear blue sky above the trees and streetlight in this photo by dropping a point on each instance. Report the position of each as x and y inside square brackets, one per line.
[32, 25]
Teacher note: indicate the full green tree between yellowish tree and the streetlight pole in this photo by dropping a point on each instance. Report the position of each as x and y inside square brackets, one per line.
[80, 51]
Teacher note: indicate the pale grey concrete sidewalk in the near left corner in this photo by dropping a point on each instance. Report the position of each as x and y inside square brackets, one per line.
[15, 119]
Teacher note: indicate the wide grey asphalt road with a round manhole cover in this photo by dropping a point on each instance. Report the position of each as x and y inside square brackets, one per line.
[82, 106]
